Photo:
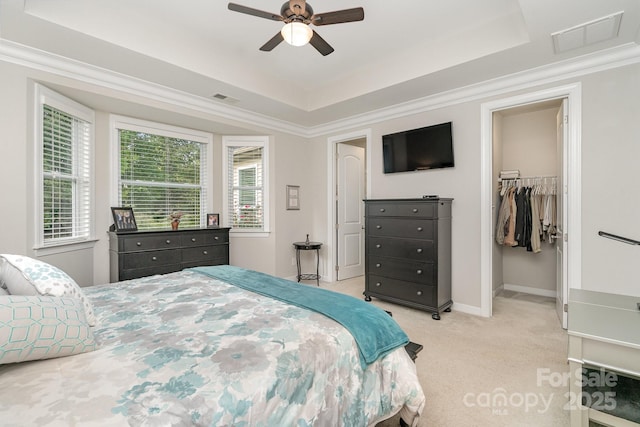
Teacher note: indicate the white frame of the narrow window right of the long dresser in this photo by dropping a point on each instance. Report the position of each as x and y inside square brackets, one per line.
[246, 141]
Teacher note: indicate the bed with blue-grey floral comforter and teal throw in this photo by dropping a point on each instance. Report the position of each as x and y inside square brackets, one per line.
[197, 348]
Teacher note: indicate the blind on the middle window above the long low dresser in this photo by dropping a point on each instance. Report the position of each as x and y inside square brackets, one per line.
[160, 175]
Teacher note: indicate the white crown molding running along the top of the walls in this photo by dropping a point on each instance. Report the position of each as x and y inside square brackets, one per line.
[58, 65]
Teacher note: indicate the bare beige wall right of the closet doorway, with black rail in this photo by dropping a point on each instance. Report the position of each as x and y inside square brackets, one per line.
[610, 181]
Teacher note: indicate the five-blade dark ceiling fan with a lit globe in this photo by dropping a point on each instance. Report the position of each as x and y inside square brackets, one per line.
[297, 15]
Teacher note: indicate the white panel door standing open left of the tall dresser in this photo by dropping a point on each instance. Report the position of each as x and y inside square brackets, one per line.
[350, 211]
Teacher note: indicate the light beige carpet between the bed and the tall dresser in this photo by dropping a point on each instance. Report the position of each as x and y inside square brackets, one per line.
[507, 370]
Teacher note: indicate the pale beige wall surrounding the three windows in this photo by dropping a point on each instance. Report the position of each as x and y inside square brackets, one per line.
[289, 163]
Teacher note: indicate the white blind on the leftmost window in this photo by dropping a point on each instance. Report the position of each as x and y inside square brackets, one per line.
[66, 177]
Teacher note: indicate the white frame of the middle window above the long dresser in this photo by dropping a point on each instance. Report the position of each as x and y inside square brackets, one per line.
[117, 122]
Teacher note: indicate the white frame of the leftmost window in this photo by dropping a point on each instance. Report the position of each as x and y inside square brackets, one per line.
[46, 96]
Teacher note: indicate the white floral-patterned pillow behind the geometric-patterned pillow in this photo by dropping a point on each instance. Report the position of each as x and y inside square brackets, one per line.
[22, 275]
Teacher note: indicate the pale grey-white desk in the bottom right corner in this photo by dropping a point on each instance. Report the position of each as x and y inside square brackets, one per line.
[604, 332]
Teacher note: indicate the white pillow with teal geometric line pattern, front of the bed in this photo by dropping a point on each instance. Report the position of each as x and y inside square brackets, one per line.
[42, 327]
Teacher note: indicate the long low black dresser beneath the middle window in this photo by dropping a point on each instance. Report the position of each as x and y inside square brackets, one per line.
[145, 253]
